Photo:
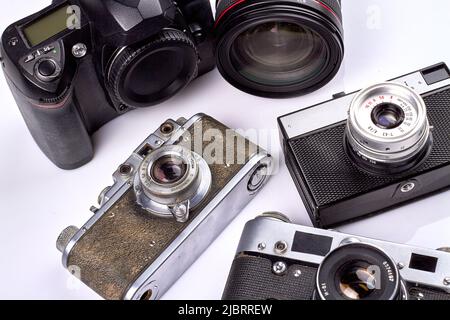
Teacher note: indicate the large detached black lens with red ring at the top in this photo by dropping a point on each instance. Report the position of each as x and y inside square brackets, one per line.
[277, 50]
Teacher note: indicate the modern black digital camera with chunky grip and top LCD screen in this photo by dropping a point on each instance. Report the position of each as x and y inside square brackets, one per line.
[77, 64]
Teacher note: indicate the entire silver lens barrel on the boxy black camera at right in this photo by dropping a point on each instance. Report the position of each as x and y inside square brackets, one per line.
[388, 130]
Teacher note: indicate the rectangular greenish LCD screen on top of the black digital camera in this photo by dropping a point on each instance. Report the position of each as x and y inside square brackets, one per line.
[48, 26]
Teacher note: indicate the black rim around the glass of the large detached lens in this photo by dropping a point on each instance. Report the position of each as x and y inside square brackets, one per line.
[248, 17]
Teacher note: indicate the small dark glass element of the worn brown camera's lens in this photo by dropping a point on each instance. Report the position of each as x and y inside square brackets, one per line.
[169, 169]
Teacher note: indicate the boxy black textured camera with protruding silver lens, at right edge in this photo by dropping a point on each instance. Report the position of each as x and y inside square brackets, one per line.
[392, 147]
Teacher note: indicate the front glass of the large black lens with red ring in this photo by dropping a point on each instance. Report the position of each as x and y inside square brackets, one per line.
[278, 53]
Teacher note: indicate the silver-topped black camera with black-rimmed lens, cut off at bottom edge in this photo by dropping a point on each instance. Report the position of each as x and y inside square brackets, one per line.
[302, 263]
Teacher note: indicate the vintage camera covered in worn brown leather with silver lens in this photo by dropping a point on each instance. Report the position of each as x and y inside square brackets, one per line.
[172, 197]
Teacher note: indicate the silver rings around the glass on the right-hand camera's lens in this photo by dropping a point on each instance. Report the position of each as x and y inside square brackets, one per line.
[388, 145]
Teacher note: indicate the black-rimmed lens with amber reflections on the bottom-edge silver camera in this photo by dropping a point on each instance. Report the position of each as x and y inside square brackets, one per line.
[358, 272]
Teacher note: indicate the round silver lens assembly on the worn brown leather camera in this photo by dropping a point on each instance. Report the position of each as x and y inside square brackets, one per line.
[171, 181]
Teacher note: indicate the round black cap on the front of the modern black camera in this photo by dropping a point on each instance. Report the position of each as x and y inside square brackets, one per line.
[149, 73]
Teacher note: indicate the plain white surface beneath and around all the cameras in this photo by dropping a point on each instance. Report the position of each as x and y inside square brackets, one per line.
[384, 39]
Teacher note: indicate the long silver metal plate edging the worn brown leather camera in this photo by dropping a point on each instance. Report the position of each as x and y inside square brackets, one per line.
[207, 226]
